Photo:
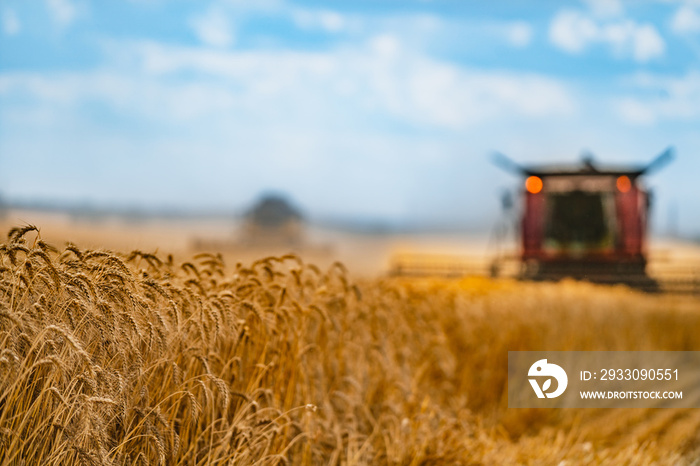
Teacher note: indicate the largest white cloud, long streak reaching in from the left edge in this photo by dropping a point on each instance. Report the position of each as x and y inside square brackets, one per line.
[380, 80]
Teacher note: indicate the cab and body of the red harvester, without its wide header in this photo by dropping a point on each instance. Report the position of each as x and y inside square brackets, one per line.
[585, 221]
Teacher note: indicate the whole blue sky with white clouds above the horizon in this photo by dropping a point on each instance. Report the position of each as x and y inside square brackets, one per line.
[375, 109]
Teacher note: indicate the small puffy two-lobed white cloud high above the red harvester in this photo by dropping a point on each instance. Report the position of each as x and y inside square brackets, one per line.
[574, 31]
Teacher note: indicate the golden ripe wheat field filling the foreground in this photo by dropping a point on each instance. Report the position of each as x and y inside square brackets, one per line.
[112, 358]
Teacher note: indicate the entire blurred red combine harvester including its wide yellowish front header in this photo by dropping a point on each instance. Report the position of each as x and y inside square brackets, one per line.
[583, 221]
